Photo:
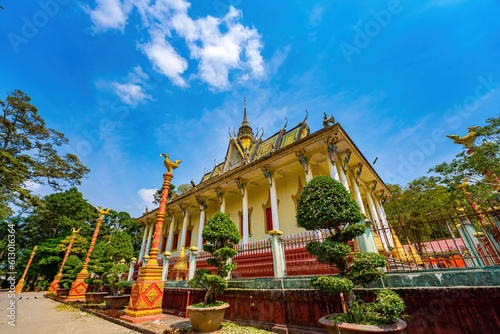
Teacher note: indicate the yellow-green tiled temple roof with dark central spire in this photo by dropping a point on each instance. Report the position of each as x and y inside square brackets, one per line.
[245, 147]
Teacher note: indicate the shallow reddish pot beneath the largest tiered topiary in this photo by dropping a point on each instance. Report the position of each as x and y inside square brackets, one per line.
[346, 328]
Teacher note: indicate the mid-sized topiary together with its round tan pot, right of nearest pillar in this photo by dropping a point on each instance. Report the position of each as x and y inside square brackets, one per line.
[221, 236]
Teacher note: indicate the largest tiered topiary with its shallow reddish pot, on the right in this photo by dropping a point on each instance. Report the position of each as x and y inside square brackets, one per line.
[326, 205]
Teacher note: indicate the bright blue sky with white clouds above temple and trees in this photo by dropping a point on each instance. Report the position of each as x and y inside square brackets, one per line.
[126, 80]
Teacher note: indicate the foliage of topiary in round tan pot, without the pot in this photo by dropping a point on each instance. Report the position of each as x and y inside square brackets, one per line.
[221, 235]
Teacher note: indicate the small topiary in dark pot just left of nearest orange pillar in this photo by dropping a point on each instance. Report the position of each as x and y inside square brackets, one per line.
[117, 300]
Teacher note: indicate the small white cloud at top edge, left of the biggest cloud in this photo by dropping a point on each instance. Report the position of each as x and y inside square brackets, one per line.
[109, 14]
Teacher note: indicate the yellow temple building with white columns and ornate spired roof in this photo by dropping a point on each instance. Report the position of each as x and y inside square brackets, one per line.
[259, 183]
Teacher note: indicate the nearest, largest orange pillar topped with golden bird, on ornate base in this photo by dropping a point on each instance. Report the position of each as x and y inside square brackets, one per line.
[147, 292]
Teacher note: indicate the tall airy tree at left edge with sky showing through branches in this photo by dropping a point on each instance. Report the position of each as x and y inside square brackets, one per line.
[28, 154]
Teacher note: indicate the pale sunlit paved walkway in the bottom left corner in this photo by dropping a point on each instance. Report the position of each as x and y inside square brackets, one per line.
[39, 316]
